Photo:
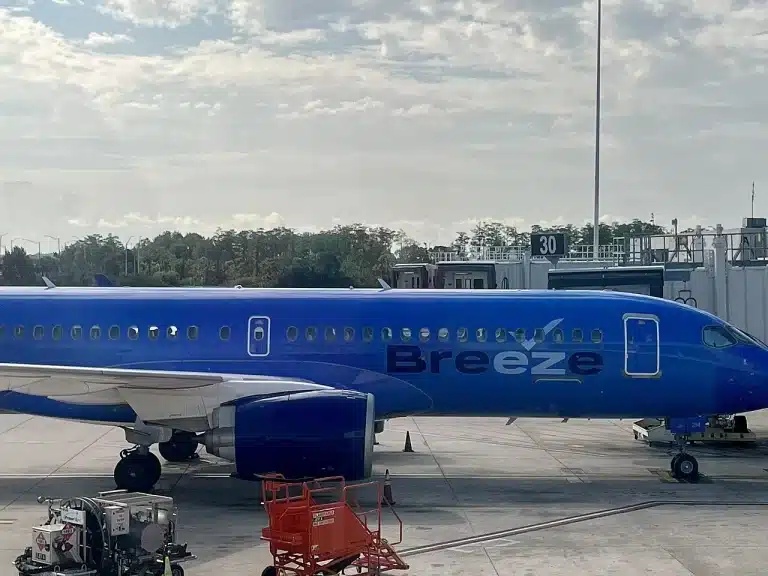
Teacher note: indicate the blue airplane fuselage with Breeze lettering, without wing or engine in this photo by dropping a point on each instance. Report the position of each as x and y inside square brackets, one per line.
[430, 352]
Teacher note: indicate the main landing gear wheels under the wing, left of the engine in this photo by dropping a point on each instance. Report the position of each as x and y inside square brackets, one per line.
[139, 469]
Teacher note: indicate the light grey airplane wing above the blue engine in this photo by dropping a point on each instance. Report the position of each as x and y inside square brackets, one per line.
[155, 395]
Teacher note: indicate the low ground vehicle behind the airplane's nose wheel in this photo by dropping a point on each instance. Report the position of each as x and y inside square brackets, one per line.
[719, 429]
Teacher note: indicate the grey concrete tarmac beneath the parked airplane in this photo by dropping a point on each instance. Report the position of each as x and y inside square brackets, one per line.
[476, 497]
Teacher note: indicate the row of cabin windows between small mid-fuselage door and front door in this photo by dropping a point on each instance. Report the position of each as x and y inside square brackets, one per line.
[443, 335]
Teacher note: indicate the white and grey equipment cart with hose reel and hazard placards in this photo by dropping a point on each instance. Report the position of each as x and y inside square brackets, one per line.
[117, 533]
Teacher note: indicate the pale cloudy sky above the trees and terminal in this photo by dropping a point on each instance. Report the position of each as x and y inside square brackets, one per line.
[132, 117]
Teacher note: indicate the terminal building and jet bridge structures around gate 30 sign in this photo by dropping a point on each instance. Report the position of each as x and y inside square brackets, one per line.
[723, 271]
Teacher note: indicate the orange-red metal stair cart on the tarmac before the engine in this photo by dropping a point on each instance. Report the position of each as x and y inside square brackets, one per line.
[317, 528]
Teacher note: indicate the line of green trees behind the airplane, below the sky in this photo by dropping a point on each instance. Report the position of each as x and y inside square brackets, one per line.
[351, 255]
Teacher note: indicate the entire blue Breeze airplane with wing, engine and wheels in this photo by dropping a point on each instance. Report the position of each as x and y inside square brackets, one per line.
[299, 381]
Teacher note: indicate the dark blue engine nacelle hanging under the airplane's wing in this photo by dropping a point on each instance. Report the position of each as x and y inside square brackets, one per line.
[304, 435]
